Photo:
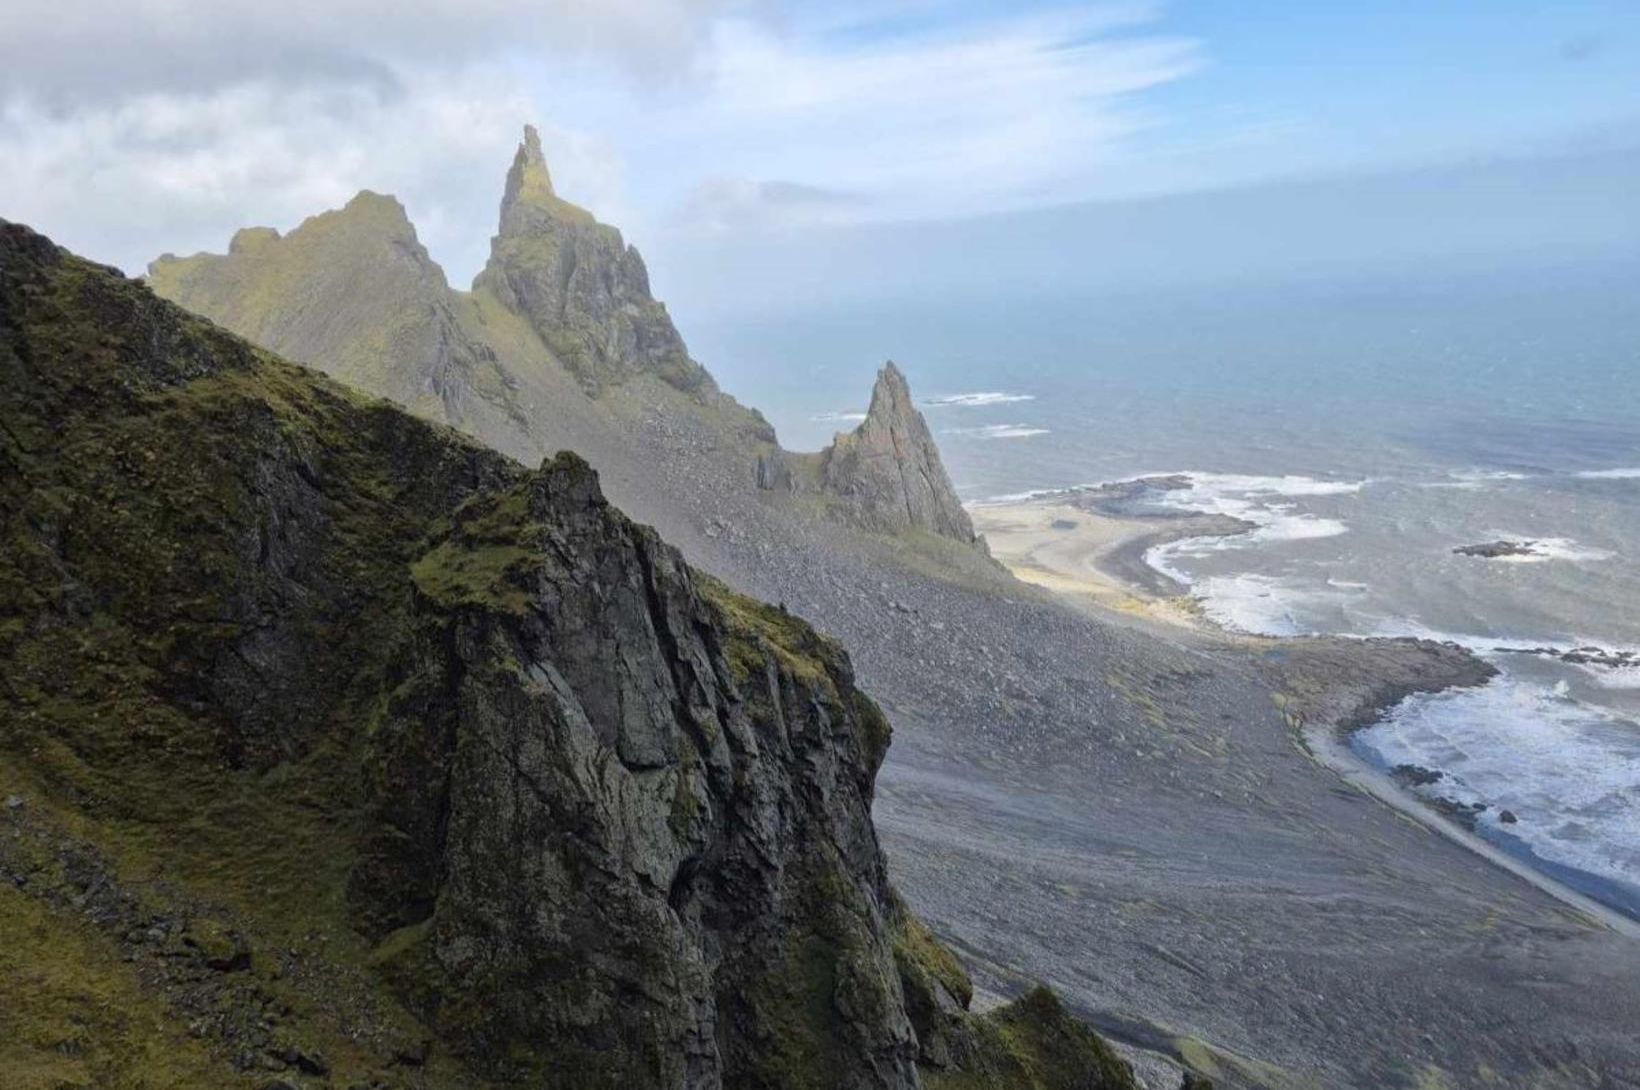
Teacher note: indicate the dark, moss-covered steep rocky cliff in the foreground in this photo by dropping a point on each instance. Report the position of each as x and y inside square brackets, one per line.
[342, 752]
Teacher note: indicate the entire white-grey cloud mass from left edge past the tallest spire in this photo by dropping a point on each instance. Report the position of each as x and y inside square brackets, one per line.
[163, 125]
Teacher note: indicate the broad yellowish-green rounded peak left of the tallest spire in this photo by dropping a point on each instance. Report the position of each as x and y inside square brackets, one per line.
[355, 294]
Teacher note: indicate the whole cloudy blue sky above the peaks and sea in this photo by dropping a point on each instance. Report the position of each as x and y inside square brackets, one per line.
[726, 134]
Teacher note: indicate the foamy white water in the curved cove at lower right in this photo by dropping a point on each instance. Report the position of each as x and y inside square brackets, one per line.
[1569, 771]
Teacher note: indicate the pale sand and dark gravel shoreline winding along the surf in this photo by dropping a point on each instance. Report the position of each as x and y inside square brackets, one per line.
[1096, 560]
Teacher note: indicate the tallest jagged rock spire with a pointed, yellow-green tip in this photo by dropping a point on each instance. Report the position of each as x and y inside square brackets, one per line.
[581, 286]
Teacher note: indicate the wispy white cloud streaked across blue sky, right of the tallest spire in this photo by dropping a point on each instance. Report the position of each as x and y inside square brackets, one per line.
[926, 120]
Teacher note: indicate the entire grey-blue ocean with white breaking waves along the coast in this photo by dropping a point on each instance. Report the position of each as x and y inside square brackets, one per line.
[1369, 425]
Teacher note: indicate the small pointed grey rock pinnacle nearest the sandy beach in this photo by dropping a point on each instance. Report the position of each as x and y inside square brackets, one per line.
[888, 471]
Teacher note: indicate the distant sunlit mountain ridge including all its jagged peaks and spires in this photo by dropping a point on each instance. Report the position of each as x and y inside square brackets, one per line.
[586, 319]
